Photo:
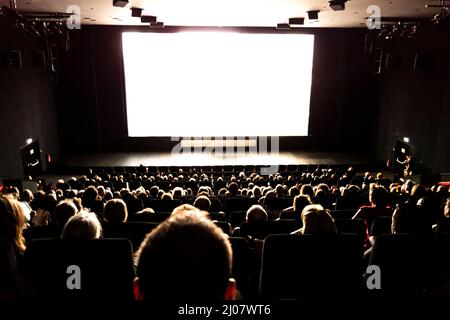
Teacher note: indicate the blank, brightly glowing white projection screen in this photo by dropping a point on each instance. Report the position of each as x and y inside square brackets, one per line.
[215, 84]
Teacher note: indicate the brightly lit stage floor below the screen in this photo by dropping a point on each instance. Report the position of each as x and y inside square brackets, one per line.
[206, 159]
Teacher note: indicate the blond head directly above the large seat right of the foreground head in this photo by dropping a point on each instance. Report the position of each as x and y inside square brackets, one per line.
[317, 220]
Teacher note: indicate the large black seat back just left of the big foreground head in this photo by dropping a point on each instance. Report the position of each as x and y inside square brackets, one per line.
[104, 268]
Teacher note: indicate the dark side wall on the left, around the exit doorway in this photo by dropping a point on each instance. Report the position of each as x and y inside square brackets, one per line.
[27, 105]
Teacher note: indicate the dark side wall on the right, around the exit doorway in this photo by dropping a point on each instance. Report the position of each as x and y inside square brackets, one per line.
[415, 102]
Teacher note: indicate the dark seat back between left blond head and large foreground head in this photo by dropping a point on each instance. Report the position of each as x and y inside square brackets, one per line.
[133, 231]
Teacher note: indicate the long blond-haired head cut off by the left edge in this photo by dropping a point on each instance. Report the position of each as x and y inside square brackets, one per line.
[12, 222]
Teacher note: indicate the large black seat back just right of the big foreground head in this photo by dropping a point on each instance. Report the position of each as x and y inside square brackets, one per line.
[309, 267]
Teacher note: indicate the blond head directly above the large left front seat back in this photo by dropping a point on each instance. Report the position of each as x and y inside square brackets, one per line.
[82, 226]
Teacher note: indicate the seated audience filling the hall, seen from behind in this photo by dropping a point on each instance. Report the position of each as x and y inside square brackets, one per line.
[188, 251]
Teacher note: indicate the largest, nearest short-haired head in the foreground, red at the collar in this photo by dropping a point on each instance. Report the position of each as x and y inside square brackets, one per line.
[185, 257]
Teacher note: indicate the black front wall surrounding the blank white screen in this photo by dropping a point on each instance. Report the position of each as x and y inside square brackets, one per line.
[91, 96]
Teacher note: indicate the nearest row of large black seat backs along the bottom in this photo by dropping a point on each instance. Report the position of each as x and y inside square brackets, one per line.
[293, 267]
